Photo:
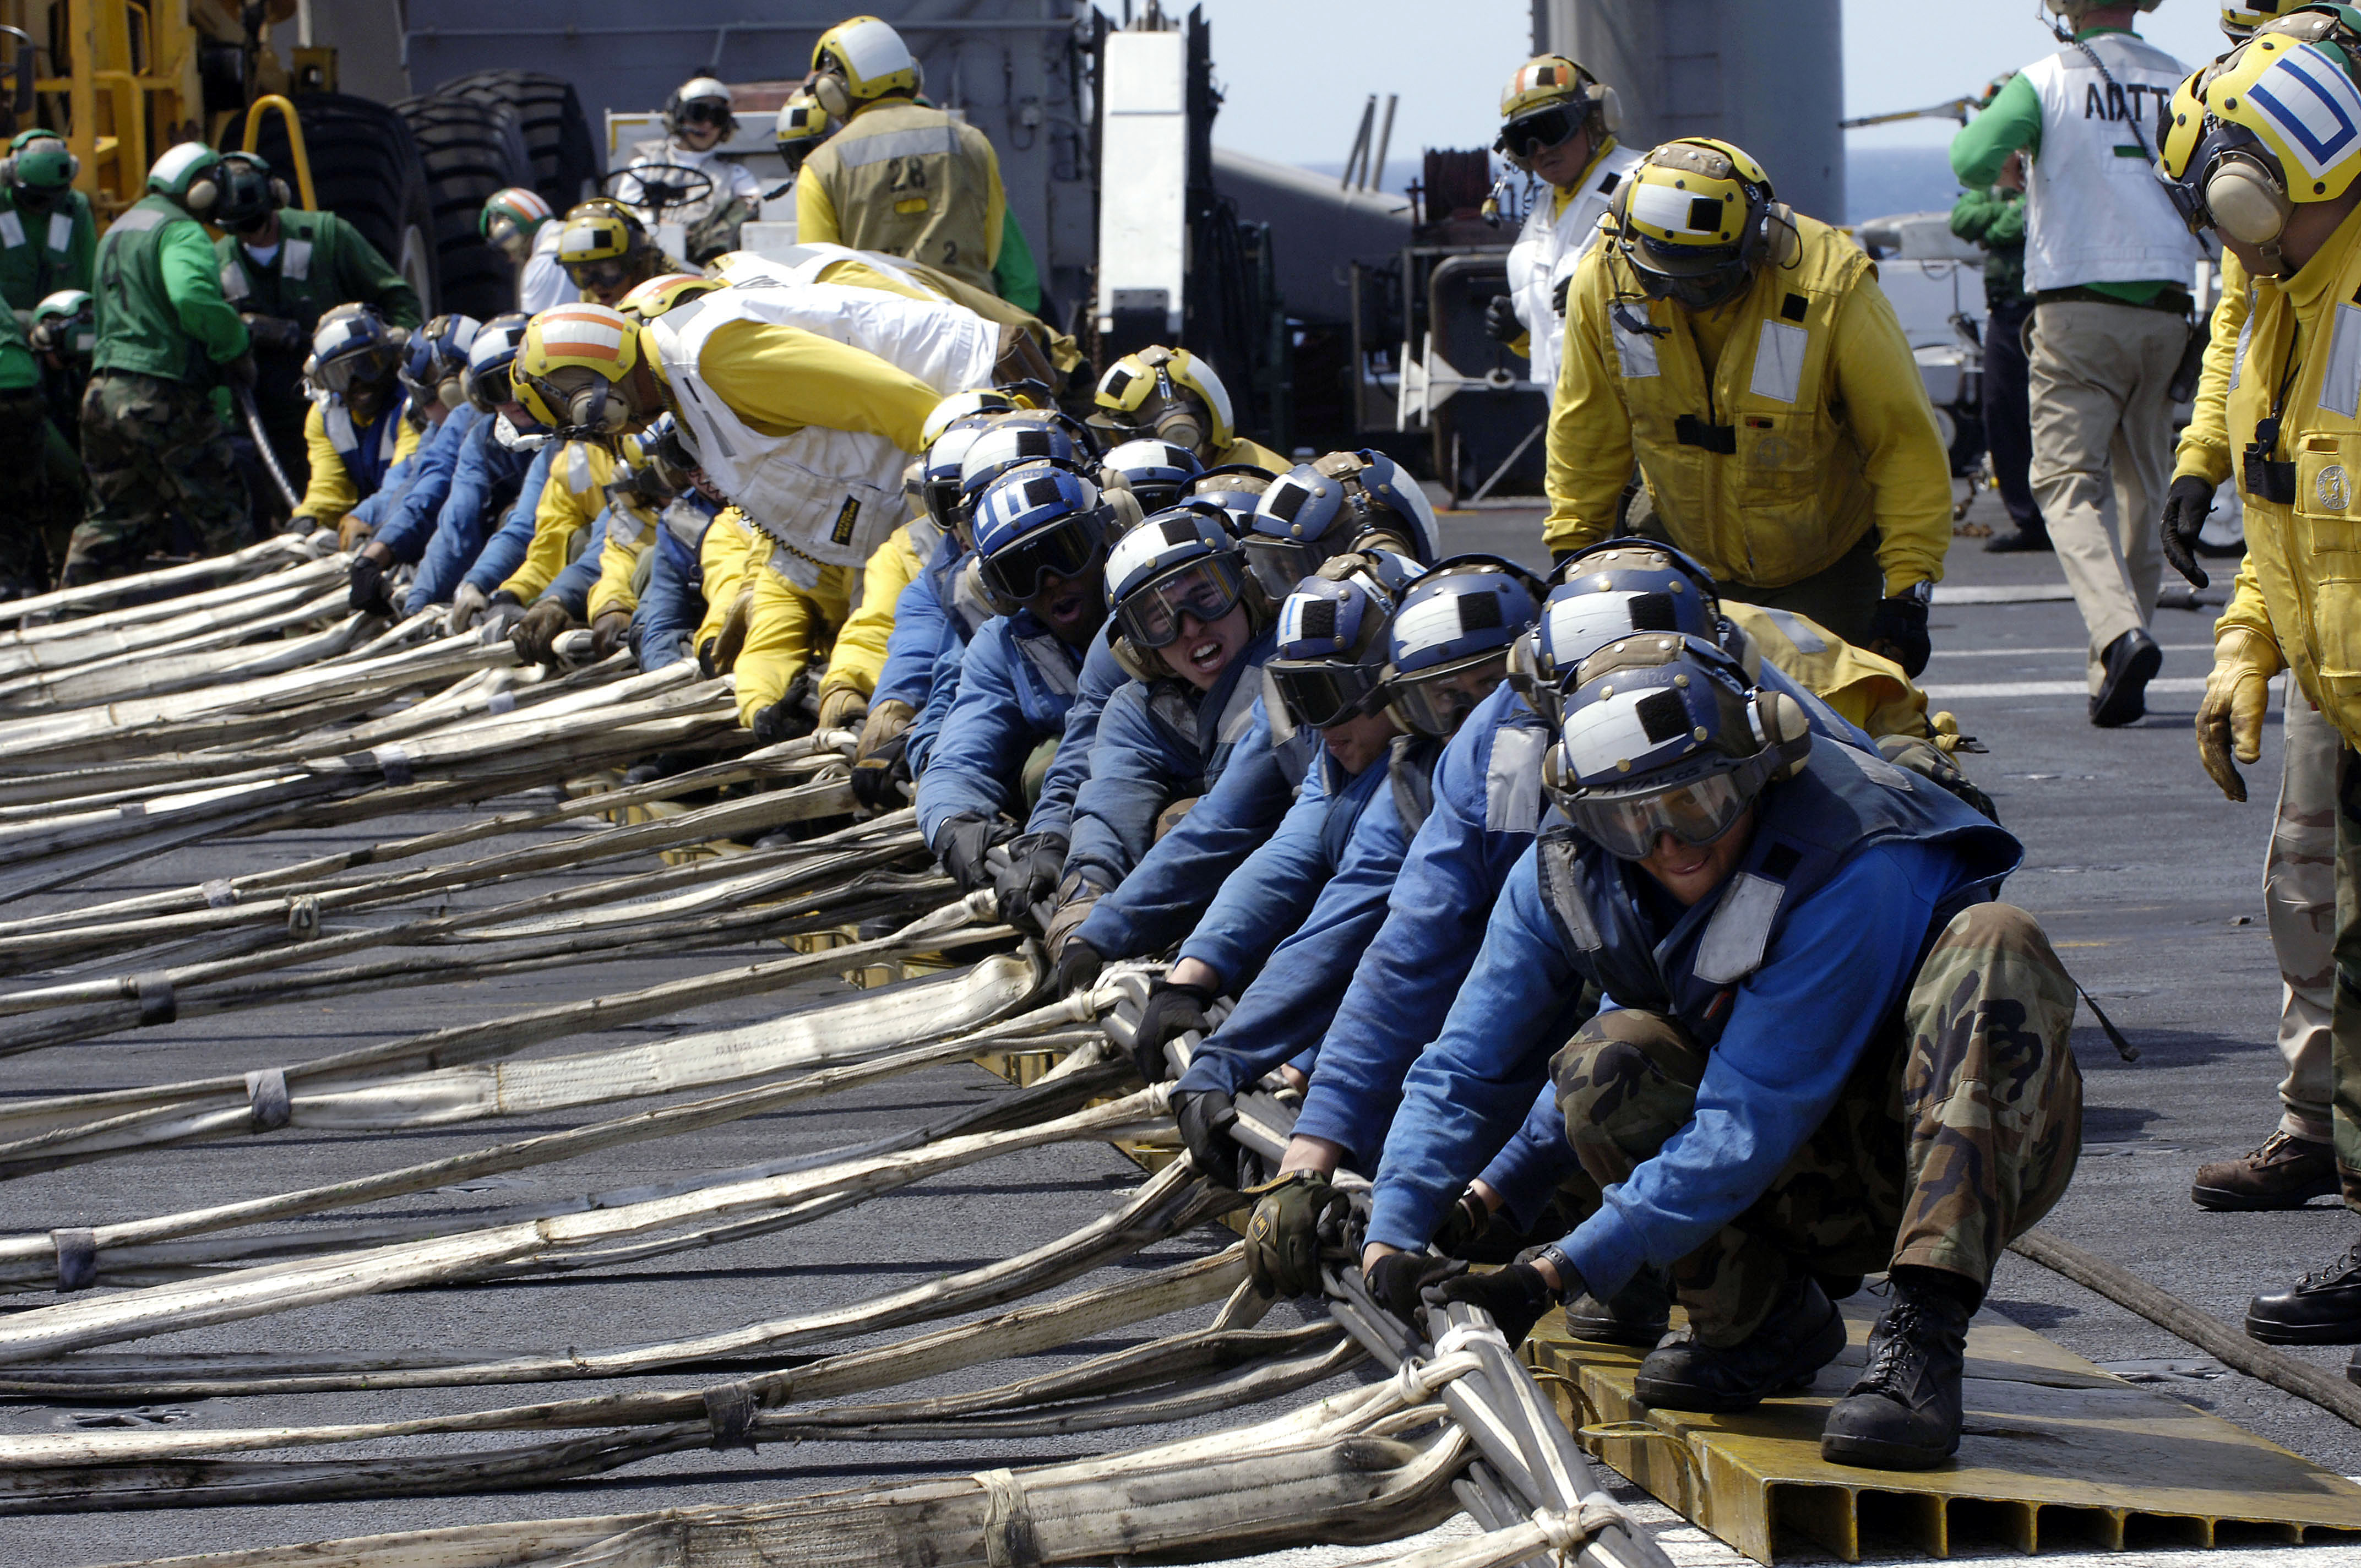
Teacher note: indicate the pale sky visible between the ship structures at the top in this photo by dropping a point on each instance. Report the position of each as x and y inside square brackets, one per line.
[1297, 72]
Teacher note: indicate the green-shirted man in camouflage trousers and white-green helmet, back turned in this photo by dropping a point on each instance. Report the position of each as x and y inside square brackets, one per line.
[166, 334]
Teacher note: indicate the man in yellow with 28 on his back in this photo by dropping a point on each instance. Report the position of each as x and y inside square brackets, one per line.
[898, 176]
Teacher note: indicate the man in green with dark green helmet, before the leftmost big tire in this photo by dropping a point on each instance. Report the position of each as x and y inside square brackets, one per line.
[285, 270]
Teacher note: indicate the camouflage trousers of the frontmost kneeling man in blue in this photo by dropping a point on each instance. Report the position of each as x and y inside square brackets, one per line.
[1956, 1132]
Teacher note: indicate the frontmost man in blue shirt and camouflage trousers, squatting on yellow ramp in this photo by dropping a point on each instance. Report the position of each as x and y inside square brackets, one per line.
[1824, 1052]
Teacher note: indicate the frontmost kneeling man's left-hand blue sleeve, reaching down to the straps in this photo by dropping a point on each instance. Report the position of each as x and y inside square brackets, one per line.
[1474, 1085]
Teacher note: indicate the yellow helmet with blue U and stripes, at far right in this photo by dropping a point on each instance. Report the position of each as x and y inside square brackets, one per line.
[2265, 129]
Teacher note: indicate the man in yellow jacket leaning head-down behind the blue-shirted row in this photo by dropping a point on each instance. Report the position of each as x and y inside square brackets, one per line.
[1746, 358]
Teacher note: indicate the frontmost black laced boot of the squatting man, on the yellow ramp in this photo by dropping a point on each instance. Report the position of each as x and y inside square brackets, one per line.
[1904, 1413]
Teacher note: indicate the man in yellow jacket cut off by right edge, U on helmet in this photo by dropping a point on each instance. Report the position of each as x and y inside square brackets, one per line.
[2289, 207]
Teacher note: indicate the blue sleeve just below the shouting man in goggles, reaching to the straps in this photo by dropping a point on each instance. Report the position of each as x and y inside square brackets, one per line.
[1160, 899]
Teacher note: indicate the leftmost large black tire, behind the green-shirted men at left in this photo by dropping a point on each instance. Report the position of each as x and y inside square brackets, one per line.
[367, 171]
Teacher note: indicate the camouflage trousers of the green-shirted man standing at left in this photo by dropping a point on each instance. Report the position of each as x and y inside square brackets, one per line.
[152, 450]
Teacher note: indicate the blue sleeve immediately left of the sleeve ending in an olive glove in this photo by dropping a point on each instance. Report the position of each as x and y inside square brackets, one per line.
[1295, 1000]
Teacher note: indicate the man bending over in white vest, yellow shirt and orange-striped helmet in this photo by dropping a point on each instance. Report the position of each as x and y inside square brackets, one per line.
[806, 436]
